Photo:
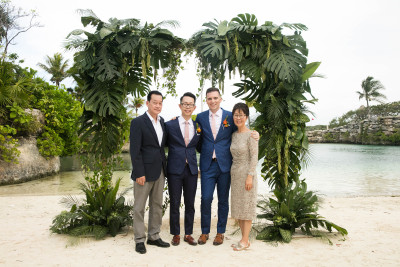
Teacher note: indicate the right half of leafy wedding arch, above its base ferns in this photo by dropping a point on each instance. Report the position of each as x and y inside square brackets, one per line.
[275, 78]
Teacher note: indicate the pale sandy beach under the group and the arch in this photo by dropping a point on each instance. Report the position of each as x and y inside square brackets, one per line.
[372, 223]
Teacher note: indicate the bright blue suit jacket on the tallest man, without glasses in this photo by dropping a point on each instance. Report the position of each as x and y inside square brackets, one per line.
[221, 144]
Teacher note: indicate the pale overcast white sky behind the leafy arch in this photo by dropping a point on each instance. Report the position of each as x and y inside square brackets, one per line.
[353, 39]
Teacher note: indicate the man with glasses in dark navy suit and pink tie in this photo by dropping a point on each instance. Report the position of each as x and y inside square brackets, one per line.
[182, 139]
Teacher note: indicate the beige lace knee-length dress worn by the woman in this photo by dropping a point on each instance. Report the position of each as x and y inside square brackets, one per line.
[244, 150]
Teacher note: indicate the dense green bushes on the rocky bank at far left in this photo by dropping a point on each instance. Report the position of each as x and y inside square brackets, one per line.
[21, 91]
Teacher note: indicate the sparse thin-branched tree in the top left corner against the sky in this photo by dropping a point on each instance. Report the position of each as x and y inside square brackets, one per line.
[9, 27]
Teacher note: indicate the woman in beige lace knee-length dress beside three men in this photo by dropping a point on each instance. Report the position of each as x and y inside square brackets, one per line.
[244, 151]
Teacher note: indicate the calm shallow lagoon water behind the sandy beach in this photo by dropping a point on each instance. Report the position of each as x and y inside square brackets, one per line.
[335, 170]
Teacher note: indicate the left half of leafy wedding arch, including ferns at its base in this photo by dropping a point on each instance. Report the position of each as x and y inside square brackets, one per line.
[115, 61]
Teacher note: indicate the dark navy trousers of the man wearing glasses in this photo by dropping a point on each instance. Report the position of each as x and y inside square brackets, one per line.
[187, 182]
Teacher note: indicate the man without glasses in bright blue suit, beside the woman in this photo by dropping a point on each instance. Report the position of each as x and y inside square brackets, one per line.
[215, 163]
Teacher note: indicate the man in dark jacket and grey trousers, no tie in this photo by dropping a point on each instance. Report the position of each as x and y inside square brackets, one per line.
[147, 142]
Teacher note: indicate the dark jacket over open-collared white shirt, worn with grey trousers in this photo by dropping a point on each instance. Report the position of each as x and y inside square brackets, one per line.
[147, 156]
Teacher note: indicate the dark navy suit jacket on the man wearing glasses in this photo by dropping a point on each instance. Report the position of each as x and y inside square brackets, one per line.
[178, 152]
